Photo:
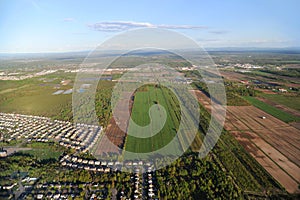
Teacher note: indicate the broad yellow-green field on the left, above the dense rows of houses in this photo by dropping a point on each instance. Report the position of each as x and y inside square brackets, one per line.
[34, 96]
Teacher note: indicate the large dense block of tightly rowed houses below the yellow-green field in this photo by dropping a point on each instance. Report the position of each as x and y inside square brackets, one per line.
[81, 137]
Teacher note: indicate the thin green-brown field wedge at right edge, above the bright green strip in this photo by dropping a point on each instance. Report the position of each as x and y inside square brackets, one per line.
[288, 101]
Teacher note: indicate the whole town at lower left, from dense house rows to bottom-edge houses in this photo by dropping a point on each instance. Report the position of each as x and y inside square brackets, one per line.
[81, 139]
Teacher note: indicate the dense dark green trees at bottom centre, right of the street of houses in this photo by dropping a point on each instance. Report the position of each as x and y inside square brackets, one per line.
[190, 177]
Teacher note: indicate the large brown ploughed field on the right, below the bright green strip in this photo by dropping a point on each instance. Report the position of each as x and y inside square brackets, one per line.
[273, 143]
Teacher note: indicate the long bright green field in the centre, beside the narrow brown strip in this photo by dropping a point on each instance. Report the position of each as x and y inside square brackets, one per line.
[143, 100]
